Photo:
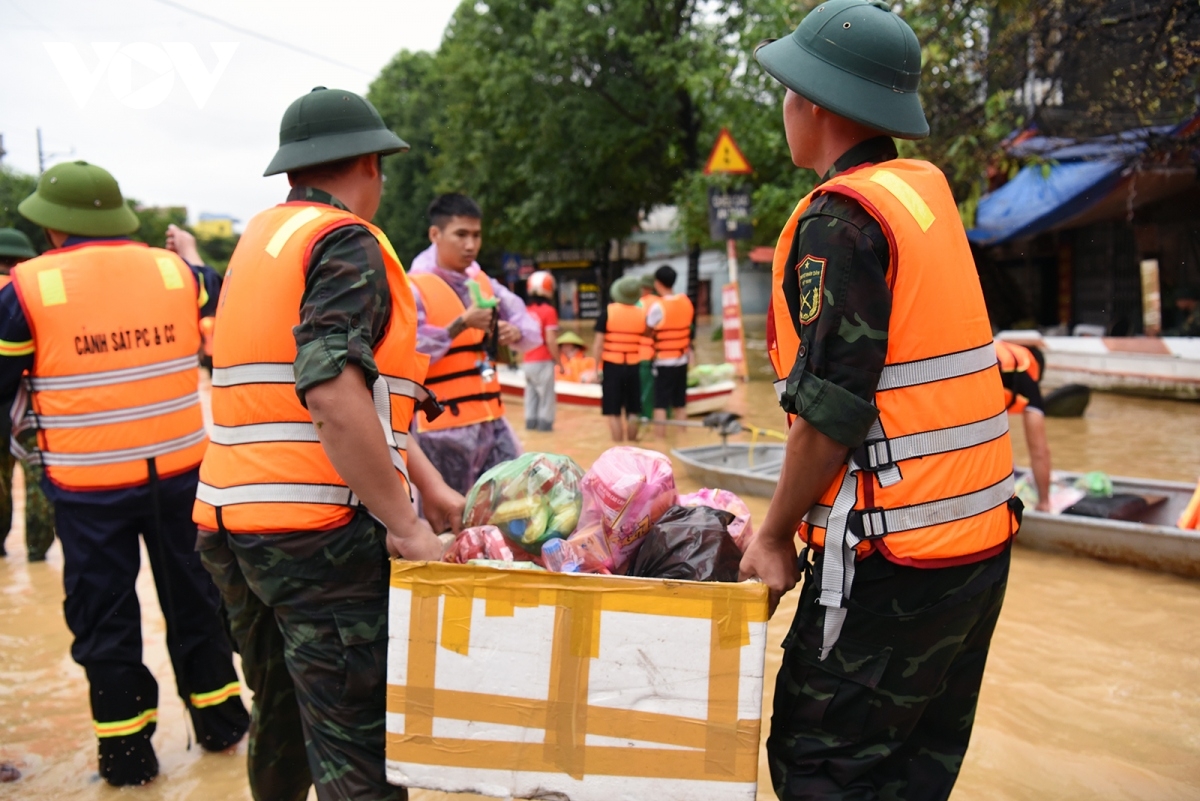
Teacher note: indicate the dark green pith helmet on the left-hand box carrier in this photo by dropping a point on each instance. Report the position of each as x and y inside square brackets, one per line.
[328, 125]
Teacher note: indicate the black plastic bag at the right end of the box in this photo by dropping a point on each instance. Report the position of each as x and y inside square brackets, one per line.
[692, 544]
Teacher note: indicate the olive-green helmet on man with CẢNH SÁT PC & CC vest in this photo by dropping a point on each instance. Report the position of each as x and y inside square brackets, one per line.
[80, 198]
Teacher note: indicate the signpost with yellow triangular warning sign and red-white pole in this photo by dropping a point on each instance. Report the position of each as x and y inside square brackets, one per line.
[729, 219]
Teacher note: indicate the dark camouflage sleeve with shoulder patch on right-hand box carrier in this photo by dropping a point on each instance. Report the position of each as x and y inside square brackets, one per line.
[842, 304]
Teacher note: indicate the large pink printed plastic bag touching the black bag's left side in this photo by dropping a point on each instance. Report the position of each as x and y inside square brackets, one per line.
[625, 493]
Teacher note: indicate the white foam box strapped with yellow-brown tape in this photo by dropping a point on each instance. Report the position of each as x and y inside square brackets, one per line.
[532, 685]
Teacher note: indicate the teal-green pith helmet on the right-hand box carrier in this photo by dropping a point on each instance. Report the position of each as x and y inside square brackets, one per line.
[856, 59]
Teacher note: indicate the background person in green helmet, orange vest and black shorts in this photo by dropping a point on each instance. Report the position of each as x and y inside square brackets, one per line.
[619, 351]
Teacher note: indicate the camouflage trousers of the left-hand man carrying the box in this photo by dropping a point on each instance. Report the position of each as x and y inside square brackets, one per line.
[309, 612]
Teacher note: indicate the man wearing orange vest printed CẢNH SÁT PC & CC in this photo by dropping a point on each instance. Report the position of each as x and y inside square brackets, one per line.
[107, 330]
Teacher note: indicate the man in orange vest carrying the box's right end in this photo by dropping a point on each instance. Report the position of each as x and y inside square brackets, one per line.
[898, 468]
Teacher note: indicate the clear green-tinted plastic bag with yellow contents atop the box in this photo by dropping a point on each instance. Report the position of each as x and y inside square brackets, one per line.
[531, 499]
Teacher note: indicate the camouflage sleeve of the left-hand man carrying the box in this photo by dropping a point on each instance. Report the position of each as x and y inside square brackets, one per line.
[344, 311]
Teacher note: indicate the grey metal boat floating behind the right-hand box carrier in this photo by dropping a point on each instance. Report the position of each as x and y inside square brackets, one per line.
[1151, 540]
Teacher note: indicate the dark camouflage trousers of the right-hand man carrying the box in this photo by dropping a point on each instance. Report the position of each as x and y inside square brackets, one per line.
[889, 715]
